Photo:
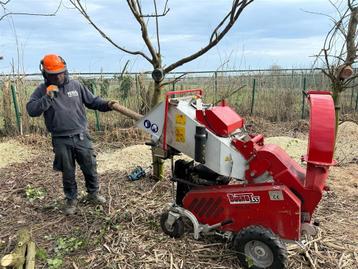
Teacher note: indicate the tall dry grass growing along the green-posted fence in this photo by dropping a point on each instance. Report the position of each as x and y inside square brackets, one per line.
[278, 96]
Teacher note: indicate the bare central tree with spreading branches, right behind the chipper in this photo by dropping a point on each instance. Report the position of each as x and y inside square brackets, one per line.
[154, 57]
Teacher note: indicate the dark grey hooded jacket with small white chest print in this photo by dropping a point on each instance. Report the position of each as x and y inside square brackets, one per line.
[65, 114]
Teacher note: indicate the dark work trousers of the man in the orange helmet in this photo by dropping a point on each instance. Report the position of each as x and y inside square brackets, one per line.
[68, 150]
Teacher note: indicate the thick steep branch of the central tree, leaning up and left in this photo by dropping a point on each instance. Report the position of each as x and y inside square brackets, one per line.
[134, 6]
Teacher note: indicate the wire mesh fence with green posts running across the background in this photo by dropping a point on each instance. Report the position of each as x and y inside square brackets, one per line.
[276, 95]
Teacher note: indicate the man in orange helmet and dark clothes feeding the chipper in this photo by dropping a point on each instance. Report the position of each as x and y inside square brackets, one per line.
[62, 102]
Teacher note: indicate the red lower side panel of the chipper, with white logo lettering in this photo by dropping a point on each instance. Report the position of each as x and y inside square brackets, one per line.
[272, 206]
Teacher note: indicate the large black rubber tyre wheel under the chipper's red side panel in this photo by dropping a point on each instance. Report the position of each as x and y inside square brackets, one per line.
[260, 248]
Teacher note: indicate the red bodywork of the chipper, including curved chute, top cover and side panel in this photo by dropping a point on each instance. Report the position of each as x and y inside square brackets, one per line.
[292, 195]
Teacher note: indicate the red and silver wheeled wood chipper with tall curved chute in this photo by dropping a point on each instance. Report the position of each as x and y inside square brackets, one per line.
[233, 182]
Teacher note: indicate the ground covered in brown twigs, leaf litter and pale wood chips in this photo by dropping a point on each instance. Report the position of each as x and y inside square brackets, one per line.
[125, 233]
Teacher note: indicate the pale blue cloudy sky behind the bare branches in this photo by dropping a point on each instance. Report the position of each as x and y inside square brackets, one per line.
[269, 32]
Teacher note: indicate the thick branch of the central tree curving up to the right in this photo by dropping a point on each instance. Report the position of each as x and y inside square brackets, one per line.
[237, 8]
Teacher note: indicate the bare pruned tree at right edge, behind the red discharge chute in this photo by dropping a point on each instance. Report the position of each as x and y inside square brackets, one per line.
[339, 52]
